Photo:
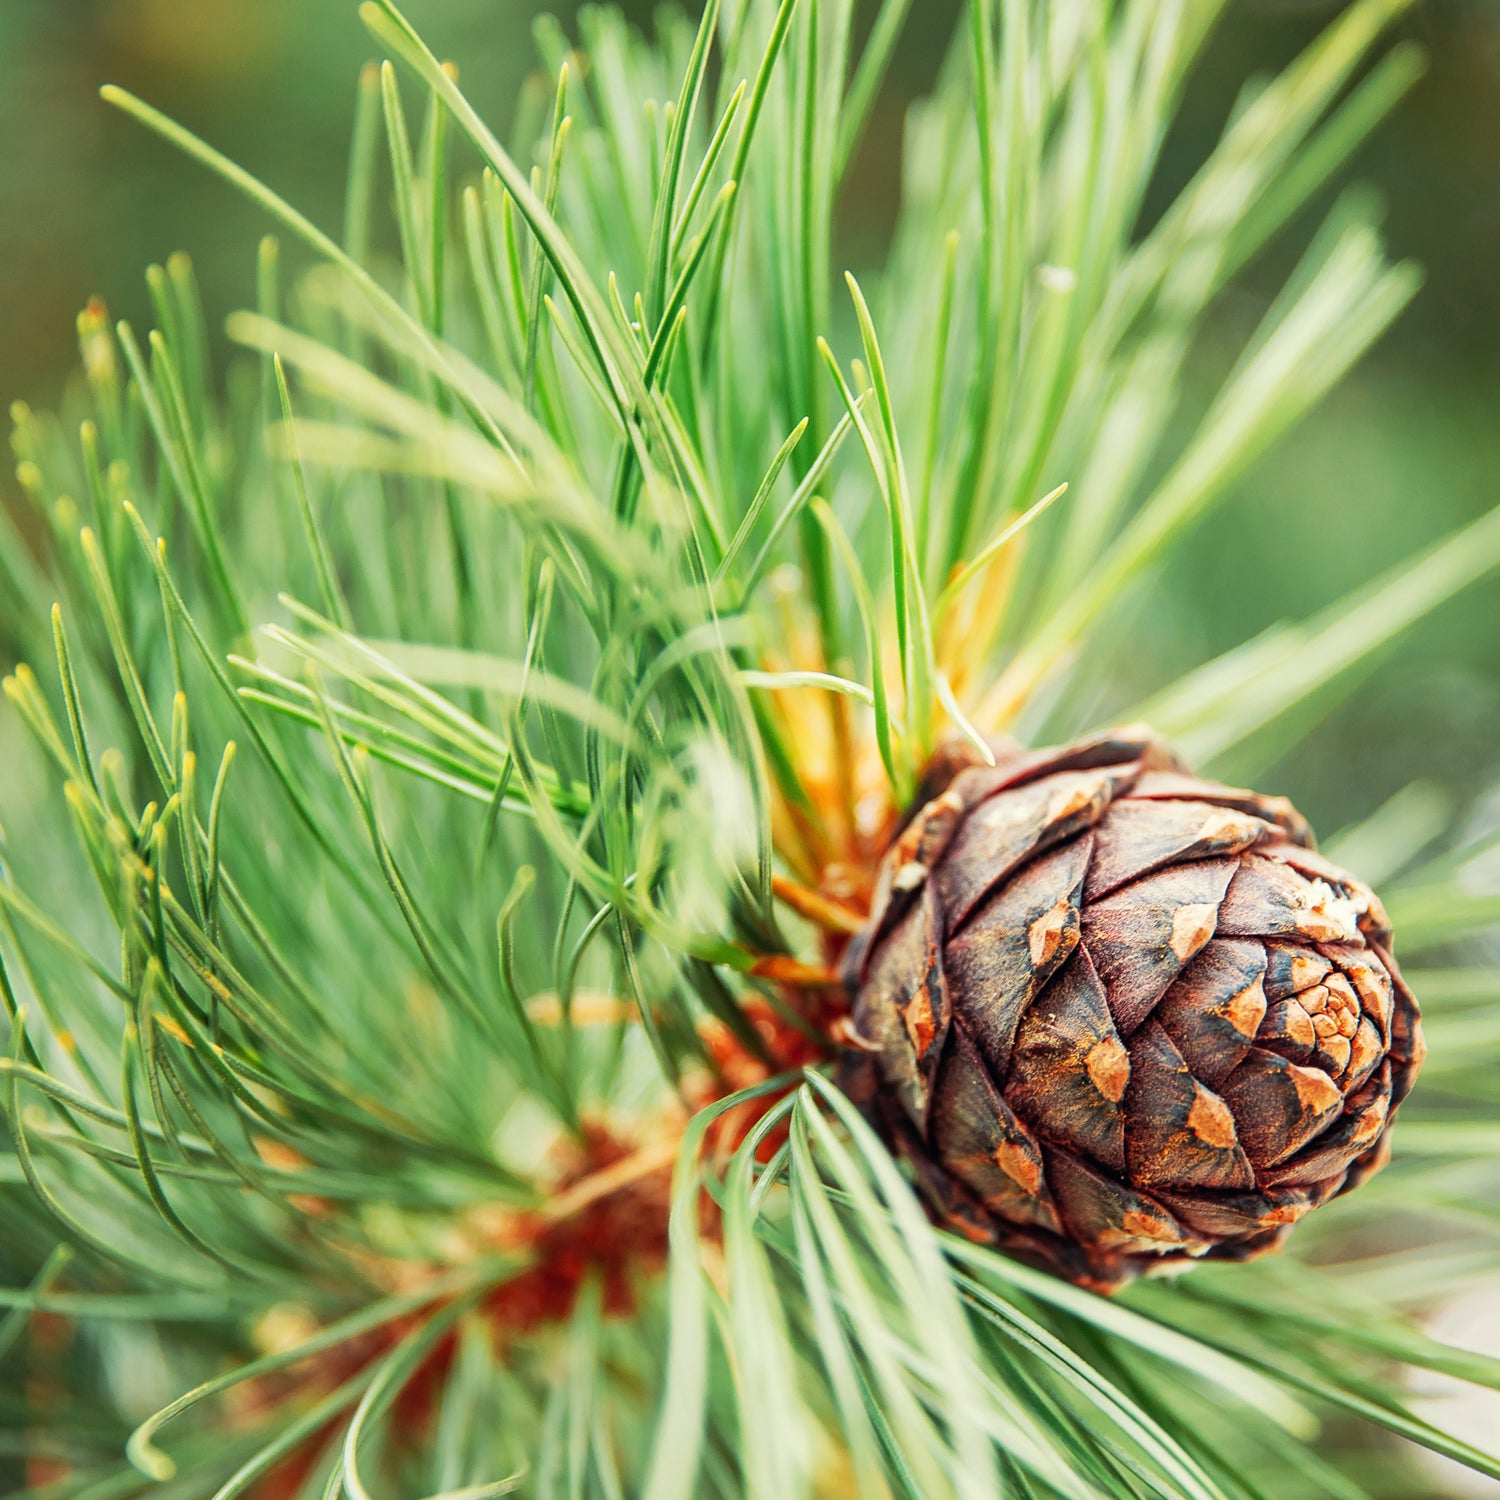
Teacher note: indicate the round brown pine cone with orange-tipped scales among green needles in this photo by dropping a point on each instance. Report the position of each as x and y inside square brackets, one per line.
[1118, 1018]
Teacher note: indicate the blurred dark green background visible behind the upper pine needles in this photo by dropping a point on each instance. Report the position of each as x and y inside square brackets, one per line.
[1405, 452]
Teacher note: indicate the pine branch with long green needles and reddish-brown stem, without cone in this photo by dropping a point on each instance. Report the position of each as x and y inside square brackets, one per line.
[466, 740]
